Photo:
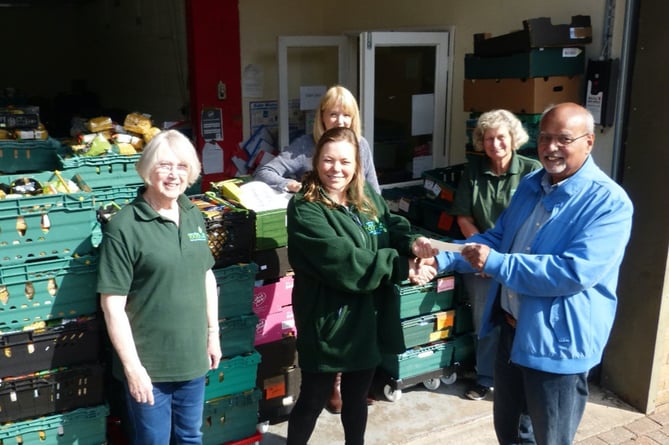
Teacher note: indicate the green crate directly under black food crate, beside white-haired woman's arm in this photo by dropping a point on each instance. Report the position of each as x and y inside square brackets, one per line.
[235, 289]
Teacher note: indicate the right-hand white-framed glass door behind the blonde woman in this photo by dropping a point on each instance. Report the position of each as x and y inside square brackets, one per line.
[404, 101]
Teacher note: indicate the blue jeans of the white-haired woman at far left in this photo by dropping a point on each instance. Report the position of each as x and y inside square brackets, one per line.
[175, 417]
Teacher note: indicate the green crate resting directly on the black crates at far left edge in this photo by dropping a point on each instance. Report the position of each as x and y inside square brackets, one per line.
[47, 289]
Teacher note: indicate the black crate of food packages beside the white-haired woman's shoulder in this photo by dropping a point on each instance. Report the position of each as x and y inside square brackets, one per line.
[230, 229]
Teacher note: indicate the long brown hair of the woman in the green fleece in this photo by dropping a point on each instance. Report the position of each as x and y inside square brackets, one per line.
[355, 192]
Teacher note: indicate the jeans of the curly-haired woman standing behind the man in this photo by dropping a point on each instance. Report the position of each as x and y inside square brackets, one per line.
[486, 347]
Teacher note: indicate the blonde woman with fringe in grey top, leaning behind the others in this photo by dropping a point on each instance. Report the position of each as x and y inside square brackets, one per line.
[338, 108]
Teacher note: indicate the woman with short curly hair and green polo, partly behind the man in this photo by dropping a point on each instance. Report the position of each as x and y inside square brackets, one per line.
[483, 192]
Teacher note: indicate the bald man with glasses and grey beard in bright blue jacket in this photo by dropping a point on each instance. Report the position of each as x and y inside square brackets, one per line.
[554, 255]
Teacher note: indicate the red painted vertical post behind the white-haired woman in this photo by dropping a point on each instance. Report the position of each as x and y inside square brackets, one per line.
[214, 57]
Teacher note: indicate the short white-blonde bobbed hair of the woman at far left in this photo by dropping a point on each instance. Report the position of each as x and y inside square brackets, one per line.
[172, 141]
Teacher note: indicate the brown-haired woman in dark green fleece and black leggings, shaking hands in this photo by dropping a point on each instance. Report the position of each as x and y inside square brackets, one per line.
[347, 250]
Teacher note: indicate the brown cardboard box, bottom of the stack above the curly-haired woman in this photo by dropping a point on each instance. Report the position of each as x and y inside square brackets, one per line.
[528, 96]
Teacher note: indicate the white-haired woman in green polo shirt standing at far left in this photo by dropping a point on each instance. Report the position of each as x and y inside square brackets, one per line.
[159, 297]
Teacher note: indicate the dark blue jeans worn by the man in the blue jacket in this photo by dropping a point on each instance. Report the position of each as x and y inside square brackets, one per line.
[554, 402]
